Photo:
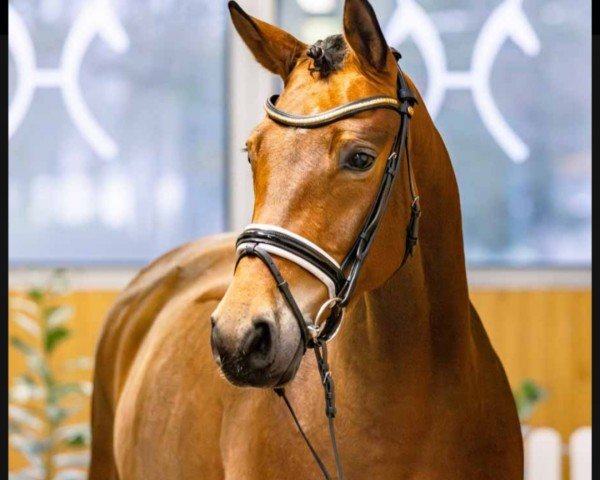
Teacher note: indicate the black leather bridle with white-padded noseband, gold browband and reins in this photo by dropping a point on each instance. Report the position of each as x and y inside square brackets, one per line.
[262, 241]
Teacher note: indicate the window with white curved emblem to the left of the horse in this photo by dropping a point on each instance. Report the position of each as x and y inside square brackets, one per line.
[117, 128]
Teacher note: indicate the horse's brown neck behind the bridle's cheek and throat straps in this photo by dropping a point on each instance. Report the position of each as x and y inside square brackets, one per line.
[417, 323]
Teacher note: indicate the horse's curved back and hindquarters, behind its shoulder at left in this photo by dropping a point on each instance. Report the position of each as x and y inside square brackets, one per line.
[205, 265]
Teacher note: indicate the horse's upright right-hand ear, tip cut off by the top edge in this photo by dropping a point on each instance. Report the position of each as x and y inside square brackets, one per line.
[364, 35]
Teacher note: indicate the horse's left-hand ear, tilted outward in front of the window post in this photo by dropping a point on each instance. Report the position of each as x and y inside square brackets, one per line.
[273, 48]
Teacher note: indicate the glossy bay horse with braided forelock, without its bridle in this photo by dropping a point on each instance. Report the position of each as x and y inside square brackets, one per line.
[192, 348]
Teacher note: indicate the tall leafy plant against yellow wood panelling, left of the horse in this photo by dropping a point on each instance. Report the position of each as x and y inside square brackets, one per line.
[44, 398]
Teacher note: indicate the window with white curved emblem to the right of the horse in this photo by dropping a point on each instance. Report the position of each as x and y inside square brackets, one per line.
[508, 83]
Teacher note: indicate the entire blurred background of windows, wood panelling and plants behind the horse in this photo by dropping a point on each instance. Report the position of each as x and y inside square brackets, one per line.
[126, 124]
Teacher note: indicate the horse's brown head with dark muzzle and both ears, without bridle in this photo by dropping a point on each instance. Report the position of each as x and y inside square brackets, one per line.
[319, 183]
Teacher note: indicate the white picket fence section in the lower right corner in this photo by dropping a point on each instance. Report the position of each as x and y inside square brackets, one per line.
[545, 452]
